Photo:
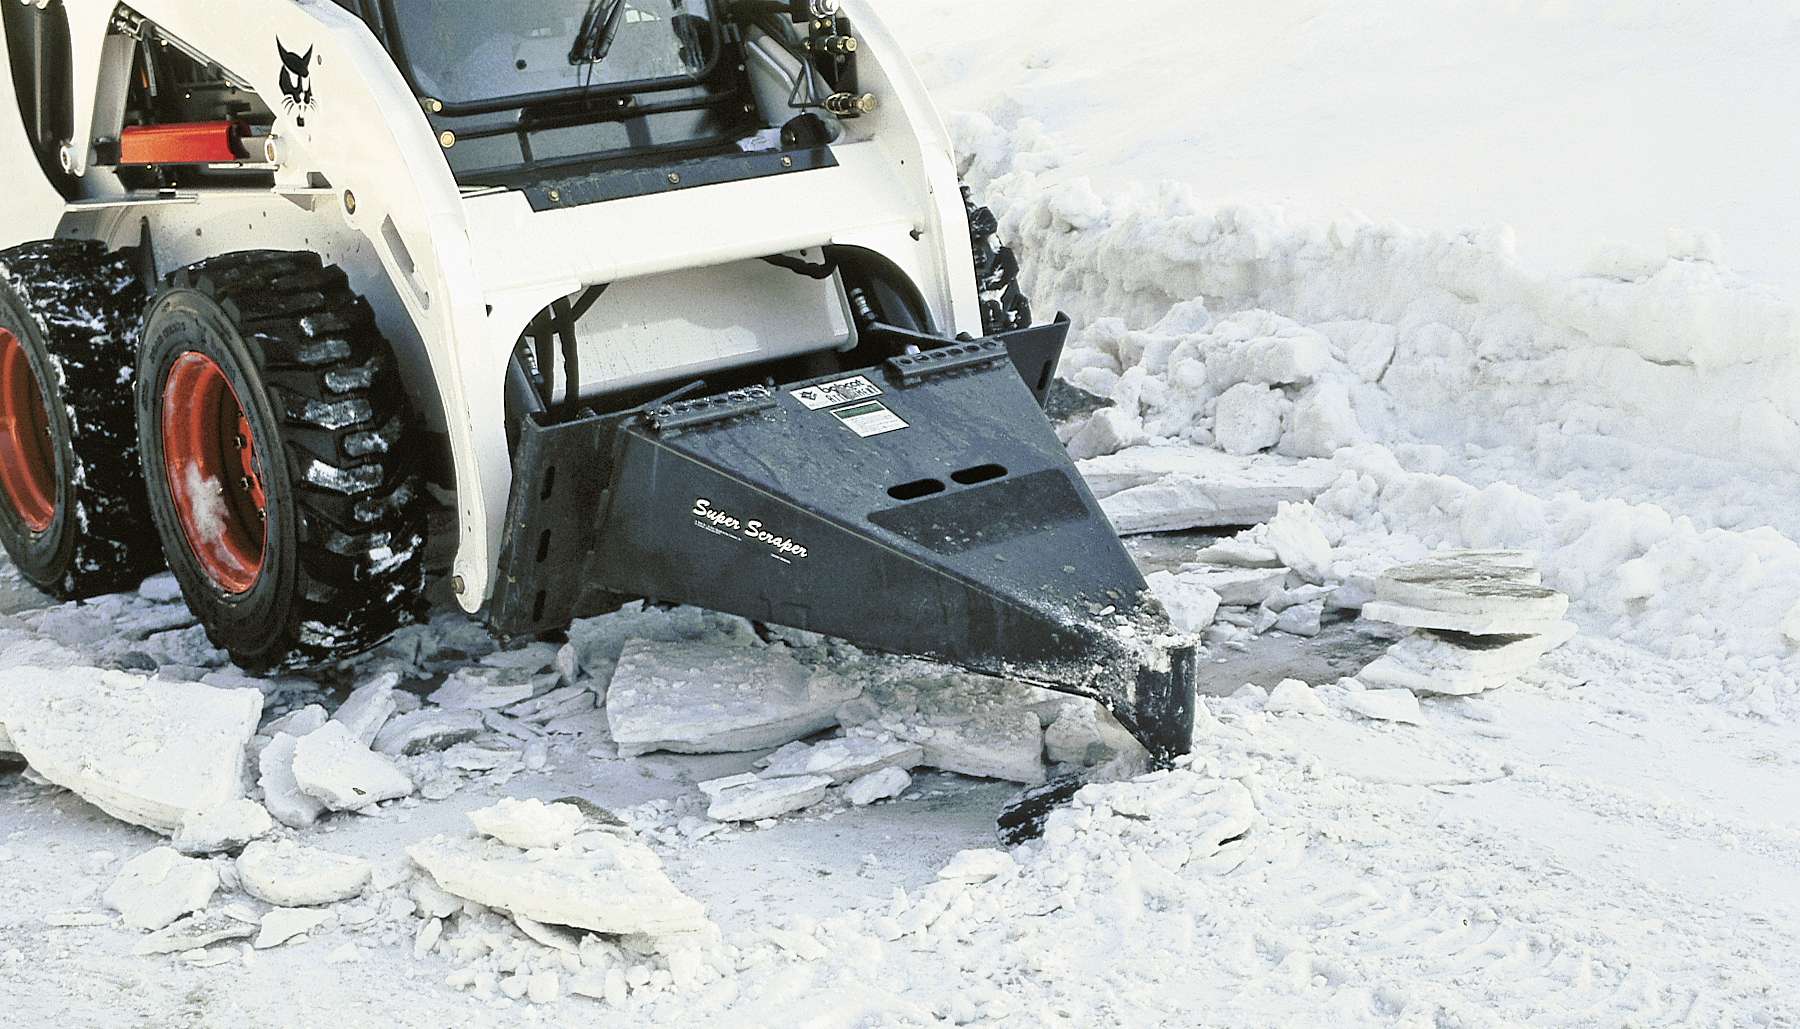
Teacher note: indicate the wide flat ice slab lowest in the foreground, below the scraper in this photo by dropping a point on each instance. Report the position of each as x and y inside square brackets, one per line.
[600, 882]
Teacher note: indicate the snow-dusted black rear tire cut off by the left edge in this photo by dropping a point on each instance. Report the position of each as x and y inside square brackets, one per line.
[73, 310]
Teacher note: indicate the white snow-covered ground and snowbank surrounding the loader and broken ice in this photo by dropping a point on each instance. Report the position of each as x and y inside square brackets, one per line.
[1606, 841]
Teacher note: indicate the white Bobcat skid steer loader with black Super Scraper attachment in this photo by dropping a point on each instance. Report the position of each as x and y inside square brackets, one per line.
[672, 300]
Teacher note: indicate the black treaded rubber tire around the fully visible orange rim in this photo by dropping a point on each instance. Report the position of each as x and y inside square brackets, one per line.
[343, 548]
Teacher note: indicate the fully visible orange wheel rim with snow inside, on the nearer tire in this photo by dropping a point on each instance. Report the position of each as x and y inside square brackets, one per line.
[210, 458]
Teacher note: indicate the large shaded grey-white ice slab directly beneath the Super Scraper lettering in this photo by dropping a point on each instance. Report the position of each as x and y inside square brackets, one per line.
[706, 699]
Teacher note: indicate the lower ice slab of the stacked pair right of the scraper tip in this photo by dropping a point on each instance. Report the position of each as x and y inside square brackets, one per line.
[1461, 665]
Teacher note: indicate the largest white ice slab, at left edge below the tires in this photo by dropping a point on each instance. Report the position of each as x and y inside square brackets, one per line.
[145, 751]
